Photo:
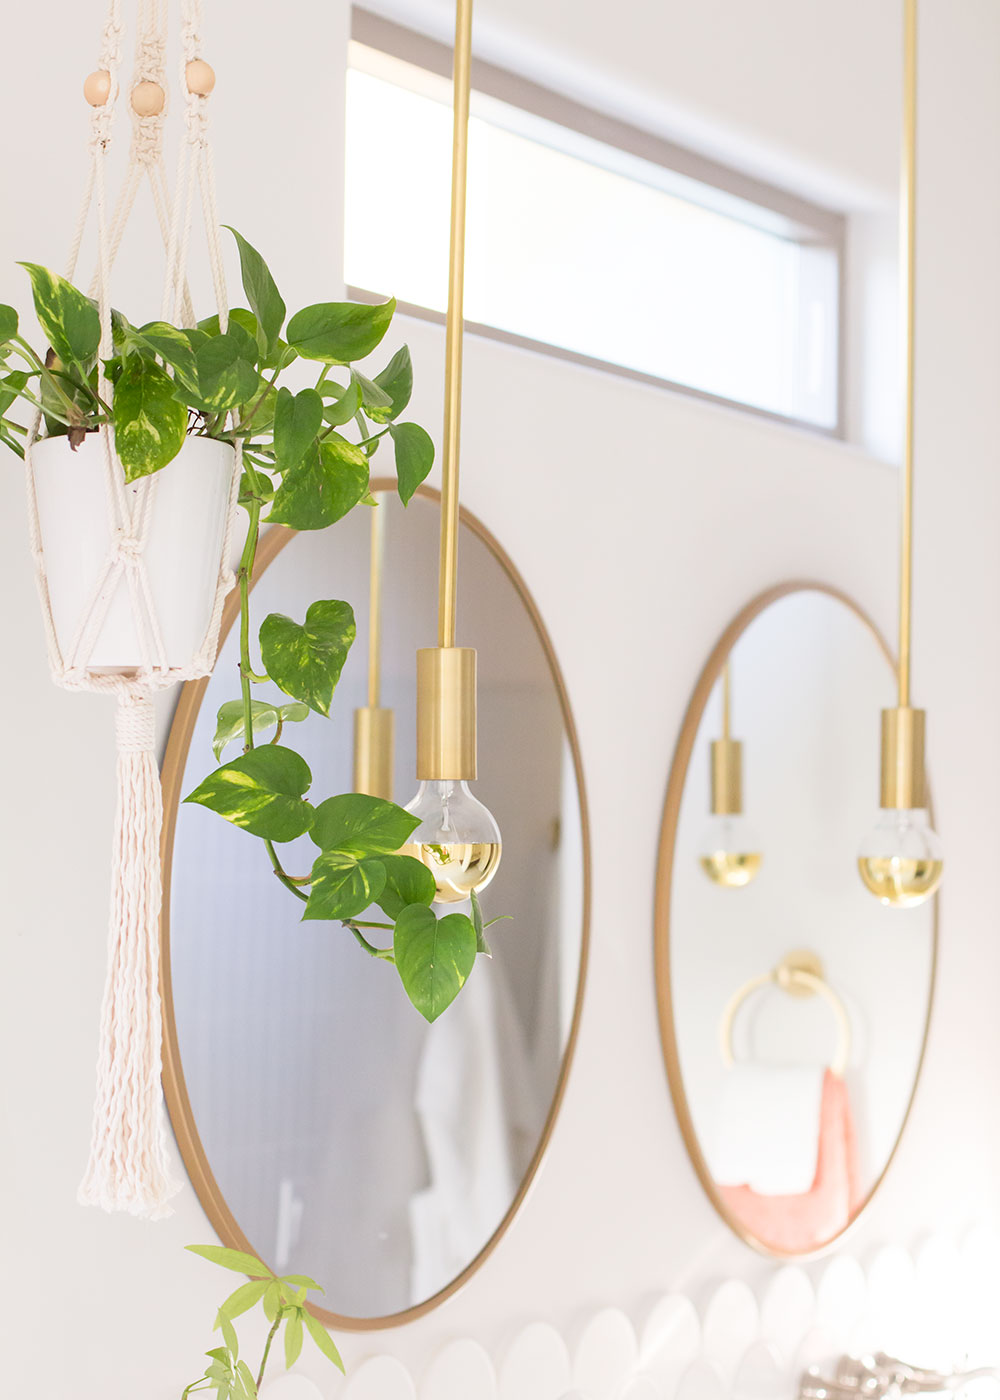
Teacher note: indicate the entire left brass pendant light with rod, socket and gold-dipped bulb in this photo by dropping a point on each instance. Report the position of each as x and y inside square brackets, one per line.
[459, 839]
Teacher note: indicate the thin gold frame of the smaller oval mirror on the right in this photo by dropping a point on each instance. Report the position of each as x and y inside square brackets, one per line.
[679, 778]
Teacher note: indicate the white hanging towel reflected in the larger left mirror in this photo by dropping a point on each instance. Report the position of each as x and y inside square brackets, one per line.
[464, 1118]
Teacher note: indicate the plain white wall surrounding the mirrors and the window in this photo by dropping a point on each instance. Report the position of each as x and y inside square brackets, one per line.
[611, 499]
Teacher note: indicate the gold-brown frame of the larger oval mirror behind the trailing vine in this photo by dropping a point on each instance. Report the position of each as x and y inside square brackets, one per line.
[176, 1091]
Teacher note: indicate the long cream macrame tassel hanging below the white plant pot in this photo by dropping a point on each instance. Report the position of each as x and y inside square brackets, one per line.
[130, 1167]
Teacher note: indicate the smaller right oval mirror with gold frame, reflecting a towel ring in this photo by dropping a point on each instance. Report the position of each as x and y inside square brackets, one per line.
[793, 1006]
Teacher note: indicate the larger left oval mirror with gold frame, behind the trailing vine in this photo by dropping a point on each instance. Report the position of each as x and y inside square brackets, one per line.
[324, 1125]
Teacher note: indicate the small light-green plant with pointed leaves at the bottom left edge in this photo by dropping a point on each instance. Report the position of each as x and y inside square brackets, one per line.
[282, 1303]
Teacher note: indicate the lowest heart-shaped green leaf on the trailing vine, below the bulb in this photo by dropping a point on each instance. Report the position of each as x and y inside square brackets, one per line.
[433, 957]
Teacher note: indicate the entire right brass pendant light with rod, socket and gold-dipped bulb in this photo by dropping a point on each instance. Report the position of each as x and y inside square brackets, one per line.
[901, 859]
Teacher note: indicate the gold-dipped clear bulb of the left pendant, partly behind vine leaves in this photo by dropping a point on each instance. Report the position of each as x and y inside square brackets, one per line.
[457, 841]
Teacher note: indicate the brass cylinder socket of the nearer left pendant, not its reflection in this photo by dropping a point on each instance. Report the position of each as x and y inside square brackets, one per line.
[446, 713]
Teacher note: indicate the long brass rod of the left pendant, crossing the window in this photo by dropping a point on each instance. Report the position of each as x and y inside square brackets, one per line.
[453, 376]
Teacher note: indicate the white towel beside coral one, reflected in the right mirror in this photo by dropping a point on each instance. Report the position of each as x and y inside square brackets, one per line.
[768, 1129]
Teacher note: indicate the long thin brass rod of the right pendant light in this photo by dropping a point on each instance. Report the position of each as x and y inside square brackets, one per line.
[908, 290]
